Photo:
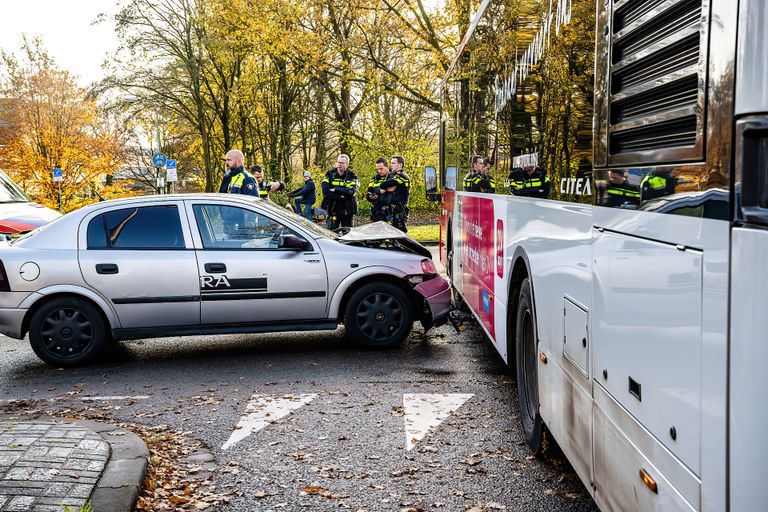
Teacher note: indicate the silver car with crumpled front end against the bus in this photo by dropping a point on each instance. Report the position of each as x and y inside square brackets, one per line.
[209, 264]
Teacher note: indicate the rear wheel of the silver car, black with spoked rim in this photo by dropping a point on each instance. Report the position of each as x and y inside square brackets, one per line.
[67, 332]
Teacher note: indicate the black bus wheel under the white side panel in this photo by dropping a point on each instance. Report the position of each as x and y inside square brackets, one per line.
[526, 348]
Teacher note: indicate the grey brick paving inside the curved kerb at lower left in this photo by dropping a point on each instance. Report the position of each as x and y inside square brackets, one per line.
[46, 466]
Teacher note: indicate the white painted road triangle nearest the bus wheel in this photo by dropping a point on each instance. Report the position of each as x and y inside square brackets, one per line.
[425, 411]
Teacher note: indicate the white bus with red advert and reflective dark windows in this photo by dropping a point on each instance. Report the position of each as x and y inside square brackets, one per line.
[630, 296]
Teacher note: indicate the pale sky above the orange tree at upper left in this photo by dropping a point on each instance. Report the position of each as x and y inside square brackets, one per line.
[65, 27]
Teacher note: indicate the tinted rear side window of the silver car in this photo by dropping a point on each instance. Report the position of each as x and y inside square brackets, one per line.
[148, 227]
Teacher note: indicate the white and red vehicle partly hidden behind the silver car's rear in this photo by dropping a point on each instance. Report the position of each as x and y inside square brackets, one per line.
[18, 213]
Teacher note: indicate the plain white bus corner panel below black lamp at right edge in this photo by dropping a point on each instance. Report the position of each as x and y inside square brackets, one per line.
[749, 378]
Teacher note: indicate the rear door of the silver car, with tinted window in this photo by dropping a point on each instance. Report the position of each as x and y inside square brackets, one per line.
[140, 258]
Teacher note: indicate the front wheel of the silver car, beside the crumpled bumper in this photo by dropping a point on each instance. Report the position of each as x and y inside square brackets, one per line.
[378, 315]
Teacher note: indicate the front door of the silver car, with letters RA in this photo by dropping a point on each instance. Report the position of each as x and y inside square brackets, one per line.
[247, 275]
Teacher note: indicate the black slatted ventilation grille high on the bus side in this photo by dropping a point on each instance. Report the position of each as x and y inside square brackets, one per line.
[656, 91]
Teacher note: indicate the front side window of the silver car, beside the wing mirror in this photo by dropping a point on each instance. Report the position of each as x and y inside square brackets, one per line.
[230, 227]
